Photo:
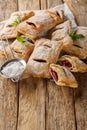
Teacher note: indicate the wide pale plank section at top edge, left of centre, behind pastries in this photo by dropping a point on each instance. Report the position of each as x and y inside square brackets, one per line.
[28, 4]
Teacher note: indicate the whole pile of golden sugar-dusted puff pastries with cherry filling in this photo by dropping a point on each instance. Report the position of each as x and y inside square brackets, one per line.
[42, 39]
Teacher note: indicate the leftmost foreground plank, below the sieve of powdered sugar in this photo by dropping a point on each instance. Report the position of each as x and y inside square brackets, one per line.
[8, 105]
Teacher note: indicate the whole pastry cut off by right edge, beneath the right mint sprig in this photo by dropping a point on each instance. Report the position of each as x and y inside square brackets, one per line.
[79, 47]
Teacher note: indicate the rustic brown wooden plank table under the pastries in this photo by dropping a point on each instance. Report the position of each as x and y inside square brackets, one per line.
[37, 104]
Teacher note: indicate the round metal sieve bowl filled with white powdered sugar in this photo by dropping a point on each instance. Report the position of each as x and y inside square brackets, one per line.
[13, 68]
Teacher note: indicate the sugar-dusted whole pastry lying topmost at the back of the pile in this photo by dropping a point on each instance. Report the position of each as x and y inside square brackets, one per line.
[40, 23]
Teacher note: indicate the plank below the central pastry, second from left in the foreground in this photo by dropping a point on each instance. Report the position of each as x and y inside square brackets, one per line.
[32, 105]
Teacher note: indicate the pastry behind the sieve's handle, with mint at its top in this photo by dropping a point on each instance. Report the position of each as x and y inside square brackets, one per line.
[20, 49]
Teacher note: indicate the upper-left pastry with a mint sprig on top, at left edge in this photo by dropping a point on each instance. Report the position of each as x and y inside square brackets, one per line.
[10, 28]
